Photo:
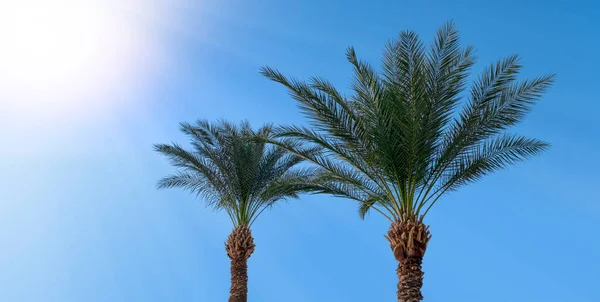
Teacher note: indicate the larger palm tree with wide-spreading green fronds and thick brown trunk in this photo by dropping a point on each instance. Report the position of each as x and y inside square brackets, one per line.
[398, 142]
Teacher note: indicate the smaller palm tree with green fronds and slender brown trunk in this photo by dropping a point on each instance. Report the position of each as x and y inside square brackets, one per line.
[232, 169]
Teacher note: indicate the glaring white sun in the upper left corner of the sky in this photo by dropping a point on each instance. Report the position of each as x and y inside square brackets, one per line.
[67, 54]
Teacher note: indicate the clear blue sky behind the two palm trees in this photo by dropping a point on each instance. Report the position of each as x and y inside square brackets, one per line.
[80, 219]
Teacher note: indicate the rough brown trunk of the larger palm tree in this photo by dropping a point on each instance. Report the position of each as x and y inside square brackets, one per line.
[408, 241]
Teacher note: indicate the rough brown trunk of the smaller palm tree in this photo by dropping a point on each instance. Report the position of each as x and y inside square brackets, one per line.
[239, 247]
